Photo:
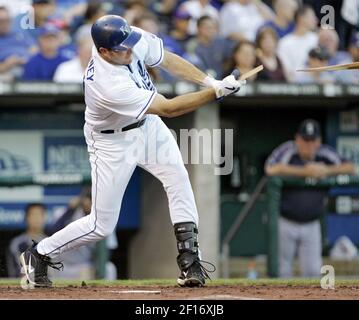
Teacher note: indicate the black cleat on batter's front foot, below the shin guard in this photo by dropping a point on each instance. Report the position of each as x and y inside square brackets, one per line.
[195, 275]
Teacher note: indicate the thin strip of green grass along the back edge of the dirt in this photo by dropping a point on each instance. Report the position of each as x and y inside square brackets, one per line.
[172, 282]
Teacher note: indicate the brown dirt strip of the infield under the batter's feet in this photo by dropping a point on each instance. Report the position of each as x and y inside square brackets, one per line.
[171, 292]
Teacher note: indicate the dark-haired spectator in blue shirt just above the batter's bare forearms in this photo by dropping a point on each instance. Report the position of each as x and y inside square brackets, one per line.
[207, 51]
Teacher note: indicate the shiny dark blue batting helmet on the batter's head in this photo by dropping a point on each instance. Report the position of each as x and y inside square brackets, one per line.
[113, 32]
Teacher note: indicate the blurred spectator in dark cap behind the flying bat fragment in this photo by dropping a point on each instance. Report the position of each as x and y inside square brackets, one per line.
[318, 57]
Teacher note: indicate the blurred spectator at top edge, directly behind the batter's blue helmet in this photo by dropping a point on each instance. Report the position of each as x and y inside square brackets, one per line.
[95, 10]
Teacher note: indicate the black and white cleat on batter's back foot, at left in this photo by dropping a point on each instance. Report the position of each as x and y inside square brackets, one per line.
[34, 266]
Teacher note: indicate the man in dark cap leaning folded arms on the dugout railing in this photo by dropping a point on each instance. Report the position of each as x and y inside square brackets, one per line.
[301, 209]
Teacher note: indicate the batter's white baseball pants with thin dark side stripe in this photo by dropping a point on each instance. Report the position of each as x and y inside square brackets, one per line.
[114, 158]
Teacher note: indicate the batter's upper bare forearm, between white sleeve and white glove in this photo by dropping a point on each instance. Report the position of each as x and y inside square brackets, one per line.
[182, 69]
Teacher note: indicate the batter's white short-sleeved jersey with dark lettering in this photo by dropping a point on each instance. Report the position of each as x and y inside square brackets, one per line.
[118, 95]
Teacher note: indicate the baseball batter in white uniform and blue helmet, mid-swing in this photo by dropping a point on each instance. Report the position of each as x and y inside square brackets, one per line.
[123, 121]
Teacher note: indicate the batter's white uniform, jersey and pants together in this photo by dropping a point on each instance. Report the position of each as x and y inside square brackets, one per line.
[117, 96]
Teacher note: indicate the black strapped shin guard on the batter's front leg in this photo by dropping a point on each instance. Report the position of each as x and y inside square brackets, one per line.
[187, 245]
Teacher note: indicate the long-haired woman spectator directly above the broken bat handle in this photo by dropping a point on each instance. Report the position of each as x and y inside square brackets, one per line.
[243, 58]
